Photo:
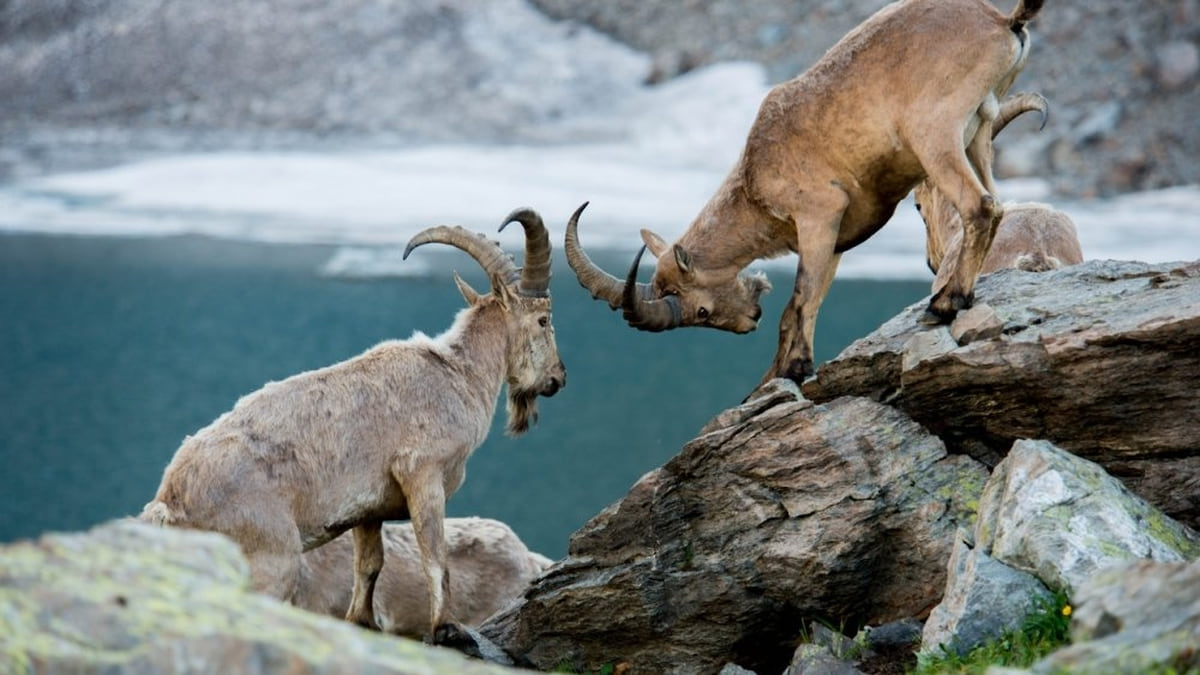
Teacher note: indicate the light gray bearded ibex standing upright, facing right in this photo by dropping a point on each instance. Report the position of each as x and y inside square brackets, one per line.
[382, 437]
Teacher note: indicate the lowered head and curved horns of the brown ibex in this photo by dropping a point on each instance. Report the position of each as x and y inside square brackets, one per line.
[683, 292]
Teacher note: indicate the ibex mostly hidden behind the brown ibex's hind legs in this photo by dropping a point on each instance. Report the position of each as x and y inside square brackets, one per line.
[1030, 237]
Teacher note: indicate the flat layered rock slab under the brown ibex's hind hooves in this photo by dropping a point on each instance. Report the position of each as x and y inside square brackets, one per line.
[1100, 359]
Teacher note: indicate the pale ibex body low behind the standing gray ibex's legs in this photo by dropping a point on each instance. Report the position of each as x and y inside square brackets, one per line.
[488, 564]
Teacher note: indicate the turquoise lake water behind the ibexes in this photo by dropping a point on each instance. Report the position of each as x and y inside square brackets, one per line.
[112, 350]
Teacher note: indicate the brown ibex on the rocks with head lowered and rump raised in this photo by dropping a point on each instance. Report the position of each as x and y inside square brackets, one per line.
[908, 95]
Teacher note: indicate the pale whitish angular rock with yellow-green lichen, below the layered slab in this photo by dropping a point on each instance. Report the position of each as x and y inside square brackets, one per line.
[1064, 519]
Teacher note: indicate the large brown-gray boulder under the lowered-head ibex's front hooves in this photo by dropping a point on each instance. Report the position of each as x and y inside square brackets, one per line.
[782, 511]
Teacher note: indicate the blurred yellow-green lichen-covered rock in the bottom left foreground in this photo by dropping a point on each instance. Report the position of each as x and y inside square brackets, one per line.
[128, 599]
